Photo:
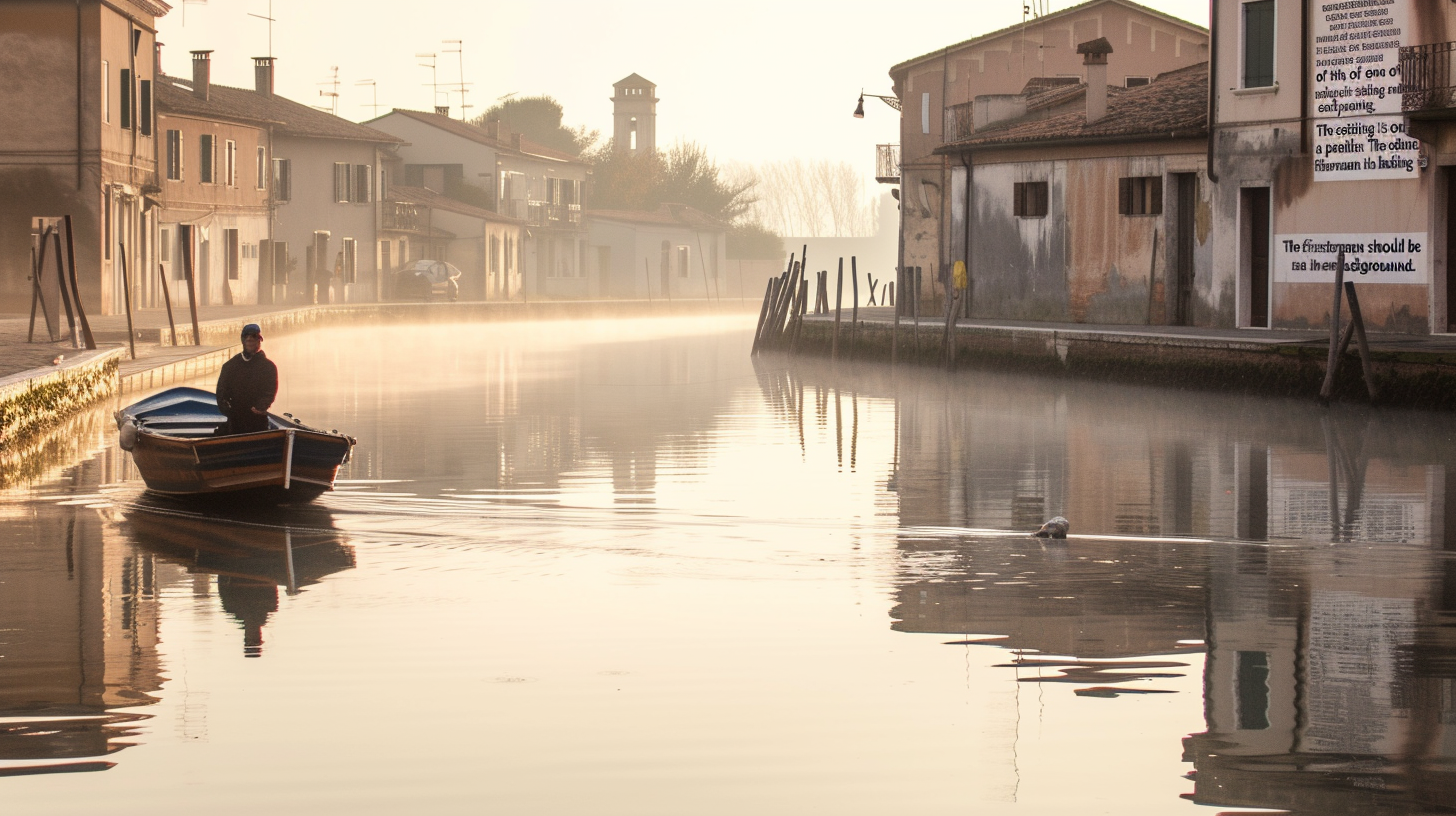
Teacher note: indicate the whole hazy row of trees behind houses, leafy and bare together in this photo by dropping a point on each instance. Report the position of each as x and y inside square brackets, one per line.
[759, 203]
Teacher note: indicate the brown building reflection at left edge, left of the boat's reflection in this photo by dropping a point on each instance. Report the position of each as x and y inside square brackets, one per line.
[79, 616]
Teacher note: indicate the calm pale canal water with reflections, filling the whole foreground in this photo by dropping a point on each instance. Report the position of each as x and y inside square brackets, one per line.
[624, 568]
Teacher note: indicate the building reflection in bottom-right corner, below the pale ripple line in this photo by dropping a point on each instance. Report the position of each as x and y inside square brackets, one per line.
[1332, 683]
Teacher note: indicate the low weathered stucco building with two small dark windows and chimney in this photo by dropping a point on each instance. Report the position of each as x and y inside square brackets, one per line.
[1091, 215]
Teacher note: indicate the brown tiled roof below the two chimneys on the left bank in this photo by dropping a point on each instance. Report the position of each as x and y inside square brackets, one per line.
[237, 104]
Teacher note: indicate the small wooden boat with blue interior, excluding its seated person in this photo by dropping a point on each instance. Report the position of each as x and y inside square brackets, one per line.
[173, 438]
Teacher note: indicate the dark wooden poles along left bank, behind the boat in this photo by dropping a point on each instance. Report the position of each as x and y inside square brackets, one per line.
[72, 297]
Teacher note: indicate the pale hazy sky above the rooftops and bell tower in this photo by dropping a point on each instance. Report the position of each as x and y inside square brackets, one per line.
[751, 81]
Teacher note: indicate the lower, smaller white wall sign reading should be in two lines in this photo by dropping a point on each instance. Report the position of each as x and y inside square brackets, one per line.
[1396, 257]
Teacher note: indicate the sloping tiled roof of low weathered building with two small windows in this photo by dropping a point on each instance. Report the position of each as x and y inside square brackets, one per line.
[1174, 106]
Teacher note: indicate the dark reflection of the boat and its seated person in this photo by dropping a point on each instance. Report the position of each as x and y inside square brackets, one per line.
[253, 552]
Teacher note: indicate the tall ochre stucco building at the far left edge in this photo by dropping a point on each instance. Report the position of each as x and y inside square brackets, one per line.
[81, 139]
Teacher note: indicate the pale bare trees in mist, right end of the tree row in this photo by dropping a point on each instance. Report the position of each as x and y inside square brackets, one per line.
[816, 199]
